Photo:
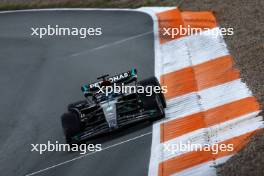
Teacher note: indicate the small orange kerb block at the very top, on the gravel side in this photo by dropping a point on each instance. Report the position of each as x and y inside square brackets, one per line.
[199, 19]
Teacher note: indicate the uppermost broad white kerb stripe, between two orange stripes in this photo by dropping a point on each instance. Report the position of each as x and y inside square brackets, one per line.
[192, 50]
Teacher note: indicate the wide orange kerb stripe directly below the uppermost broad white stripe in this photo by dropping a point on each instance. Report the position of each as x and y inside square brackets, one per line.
[205, 75]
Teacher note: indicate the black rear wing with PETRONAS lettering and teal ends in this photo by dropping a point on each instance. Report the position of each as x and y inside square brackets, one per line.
[126, 78]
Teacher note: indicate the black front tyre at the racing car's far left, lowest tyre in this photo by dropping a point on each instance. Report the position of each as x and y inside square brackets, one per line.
[71, 125]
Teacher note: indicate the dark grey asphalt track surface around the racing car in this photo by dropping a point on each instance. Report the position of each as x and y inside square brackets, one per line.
[39, 77]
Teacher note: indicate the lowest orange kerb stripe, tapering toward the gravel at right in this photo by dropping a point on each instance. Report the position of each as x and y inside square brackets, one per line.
[194, 158]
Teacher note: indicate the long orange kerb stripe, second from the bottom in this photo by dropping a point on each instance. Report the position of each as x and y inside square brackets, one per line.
[178, 127]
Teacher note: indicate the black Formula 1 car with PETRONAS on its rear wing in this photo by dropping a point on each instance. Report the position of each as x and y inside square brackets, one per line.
[103, 112]
